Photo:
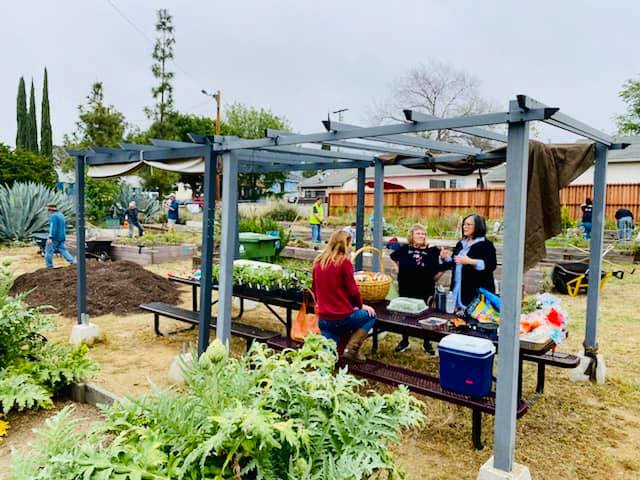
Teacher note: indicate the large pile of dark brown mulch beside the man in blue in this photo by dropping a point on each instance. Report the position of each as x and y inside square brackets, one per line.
[112, 287]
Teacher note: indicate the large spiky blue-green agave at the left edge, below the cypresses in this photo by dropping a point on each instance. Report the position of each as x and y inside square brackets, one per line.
[23, 209]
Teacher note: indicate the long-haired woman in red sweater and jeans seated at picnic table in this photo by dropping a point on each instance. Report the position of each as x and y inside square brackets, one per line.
[340, 307]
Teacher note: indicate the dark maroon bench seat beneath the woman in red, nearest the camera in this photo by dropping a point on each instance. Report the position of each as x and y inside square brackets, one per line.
[416, 382]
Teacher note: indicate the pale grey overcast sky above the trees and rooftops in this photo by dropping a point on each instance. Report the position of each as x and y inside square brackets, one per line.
[302, 58]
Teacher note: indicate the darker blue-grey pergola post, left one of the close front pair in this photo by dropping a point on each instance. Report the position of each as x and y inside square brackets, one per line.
[206, 260]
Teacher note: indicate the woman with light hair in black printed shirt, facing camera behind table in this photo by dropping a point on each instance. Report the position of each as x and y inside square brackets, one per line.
[419, 268]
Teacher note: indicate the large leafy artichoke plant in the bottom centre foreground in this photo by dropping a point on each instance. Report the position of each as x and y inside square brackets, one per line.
[263, 416]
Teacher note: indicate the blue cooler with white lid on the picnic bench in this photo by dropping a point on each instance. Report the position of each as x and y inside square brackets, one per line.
[466, 364]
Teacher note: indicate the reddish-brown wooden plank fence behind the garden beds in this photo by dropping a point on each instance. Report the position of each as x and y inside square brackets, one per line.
[431, 203]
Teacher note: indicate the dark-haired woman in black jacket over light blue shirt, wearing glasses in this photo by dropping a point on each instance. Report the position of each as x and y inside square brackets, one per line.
[473, 261]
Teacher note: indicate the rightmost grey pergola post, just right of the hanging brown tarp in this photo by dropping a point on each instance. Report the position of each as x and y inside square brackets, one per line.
[595, 263]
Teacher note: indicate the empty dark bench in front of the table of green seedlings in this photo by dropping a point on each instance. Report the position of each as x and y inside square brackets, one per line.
[248, 332]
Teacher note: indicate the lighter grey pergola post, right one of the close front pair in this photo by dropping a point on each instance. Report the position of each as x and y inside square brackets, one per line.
[227, 245]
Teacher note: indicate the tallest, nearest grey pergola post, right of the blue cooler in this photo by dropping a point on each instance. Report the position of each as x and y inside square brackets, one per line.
[512, 271]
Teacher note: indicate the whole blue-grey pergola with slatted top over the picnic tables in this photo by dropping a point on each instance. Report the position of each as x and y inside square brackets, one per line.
[280, 151]
